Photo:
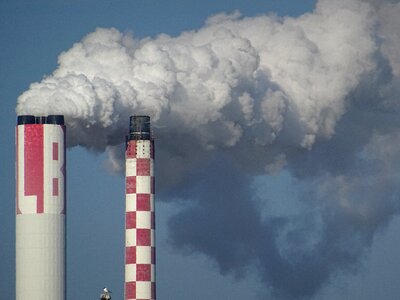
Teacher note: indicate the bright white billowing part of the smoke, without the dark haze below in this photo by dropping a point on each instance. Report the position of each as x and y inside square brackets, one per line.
[257, 78]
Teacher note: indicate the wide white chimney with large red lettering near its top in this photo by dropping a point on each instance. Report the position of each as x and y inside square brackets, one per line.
[40, 208]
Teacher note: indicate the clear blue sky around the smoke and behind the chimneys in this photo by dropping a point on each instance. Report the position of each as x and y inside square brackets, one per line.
[32, 35]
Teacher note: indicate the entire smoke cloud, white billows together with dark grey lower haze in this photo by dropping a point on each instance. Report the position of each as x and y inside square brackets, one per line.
[315, 97]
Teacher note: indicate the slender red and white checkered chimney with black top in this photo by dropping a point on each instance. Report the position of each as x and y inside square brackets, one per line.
[139, 213]
